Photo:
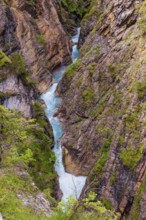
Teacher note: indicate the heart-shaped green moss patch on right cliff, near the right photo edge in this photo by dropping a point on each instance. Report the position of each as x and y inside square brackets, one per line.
[130, 157]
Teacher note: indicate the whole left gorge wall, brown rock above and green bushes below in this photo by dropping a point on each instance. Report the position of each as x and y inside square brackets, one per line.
[32, 43]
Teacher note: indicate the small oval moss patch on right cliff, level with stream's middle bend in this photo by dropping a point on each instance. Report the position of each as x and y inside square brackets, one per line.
[88, 95]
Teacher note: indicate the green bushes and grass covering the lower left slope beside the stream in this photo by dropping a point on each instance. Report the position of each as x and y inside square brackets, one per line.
[24, 147]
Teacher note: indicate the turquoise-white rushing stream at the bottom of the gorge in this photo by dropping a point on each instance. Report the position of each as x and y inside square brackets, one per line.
[69, 184]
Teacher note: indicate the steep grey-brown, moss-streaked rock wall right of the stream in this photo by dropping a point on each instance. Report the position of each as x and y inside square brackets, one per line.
[103, 109]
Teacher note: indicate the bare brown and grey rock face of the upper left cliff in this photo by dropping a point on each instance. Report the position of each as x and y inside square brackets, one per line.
[32, 29]
